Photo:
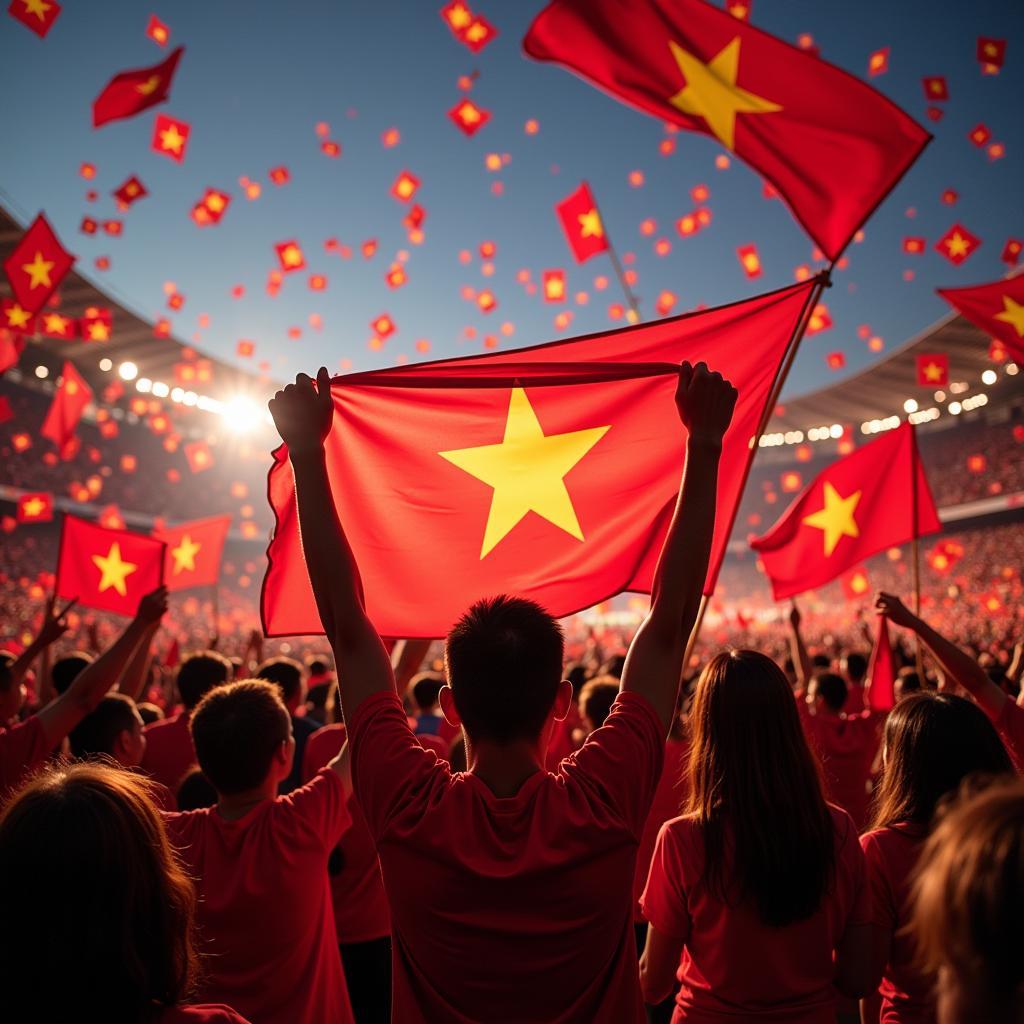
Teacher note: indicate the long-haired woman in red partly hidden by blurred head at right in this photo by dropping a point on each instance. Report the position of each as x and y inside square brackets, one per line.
[933, 742]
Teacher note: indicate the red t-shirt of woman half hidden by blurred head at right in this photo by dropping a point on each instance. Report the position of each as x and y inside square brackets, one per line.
[908, 997]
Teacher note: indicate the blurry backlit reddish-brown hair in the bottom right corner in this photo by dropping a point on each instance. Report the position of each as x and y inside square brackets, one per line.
[969, 895]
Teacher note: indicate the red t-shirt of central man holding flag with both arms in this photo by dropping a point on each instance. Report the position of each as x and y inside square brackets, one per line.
[519, 909]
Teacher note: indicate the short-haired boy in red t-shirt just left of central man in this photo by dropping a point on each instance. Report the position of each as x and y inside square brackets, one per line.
[261, 864]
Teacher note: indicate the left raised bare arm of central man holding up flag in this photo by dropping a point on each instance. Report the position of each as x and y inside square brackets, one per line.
[304, 417]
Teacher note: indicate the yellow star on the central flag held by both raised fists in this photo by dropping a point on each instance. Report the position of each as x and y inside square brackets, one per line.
[528, 472]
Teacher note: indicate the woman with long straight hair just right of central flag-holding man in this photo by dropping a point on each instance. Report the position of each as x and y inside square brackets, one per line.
[757, 897]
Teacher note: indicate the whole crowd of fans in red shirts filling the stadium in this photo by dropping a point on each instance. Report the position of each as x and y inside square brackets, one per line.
[538, 828]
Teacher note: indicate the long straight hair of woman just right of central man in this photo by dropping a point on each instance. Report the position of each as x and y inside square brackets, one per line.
[754, 780]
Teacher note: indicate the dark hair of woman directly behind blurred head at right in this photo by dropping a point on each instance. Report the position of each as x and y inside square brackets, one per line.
[933, 742]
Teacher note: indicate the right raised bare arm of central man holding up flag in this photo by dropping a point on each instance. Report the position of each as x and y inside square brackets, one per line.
[654, 666]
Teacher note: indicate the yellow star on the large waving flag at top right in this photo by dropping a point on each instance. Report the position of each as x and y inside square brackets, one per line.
[712, 93]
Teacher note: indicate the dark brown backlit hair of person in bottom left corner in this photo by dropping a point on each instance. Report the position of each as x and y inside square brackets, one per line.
[107, 933]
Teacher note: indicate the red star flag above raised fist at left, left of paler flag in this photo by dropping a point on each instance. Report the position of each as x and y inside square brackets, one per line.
[109, 570]
